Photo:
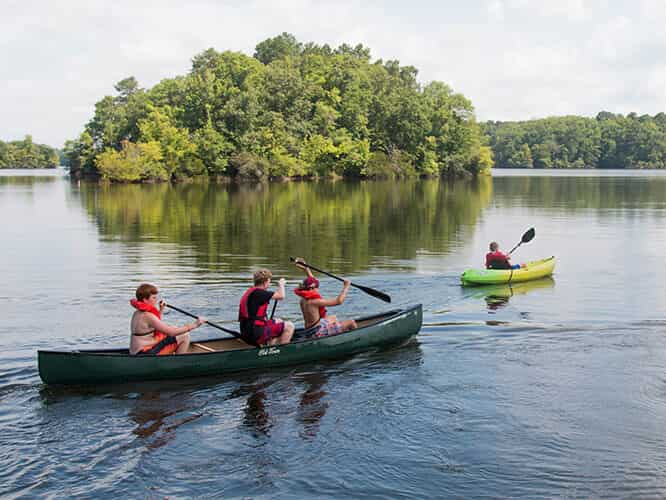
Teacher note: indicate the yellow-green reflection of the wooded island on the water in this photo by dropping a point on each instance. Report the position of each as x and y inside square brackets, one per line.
[350, 223]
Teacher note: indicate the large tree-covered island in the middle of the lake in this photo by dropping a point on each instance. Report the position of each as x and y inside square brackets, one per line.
[292, 109]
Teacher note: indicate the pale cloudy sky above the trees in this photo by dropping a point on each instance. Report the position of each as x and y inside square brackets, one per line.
[515, 59]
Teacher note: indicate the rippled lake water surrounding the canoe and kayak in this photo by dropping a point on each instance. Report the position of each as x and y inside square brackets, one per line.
[550, 389]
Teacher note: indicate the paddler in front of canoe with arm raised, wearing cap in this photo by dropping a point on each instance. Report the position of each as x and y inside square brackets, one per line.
[313, 305]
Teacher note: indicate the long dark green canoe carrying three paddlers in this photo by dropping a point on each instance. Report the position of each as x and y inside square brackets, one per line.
[226, 355]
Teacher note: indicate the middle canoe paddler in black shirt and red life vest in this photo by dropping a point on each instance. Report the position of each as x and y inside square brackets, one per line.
[256, 329]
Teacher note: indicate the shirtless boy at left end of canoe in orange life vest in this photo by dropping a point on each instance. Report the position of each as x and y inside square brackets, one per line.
[149, 334]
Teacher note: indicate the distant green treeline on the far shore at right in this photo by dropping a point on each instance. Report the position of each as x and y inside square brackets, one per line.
[607, 141]
